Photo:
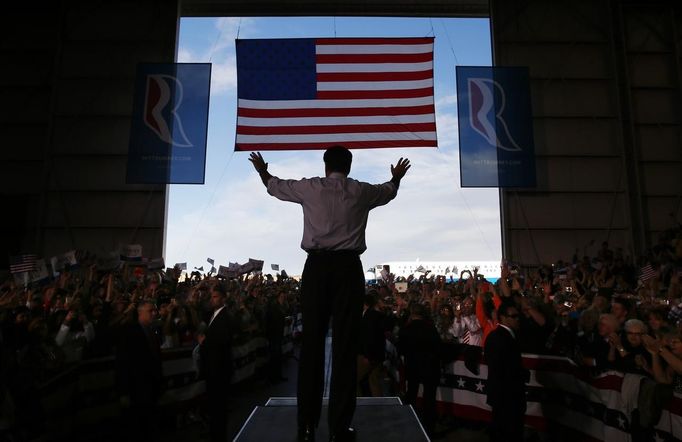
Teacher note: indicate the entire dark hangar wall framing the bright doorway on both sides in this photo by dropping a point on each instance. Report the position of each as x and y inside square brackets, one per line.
[606, 92]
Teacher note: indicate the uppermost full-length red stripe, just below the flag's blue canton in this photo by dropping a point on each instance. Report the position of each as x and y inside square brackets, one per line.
[334, 112]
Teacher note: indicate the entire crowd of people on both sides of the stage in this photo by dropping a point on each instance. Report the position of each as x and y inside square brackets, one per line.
[600, 311]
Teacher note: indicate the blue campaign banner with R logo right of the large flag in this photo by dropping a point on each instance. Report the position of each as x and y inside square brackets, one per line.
[496, 147]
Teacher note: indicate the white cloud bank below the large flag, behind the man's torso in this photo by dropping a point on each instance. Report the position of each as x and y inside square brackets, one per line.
[429, 218]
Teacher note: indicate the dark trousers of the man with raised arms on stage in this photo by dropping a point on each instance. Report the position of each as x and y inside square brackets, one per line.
[333, 286]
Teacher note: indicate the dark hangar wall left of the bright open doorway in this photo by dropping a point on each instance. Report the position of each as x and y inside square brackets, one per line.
[67, 87]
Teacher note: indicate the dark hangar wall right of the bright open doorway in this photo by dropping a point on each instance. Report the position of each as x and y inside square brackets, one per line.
[606, 95]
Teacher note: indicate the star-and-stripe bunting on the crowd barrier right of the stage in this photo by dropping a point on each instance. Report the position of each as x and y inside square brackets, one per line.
[594, 407]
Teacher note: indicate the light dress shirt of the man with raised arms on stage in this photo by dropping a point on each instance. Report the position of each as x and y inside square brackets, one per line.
[335, 208]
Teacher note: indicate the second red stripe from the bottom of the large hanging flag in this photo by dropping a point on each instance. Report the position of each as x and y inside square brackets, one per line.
[335, 129]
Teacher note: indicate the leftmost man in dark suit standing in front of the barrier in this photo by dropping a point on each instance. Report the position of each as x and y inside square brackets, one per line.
[140, 373]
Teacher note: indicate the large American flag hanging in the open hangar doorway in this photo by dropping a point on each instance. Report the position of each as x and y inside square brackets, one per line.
[302, 94]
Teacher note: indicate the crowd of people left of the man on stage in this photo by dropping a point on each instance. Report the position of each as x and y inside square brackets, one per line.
[48, 327]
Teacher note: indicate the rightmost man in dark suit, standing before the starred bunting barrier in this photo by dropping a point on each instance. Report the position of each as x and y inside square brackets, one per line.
[506, 386]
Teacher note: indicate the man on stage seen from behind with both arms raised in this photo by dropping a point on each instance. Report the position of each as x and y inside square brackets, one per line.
[335, 211]
